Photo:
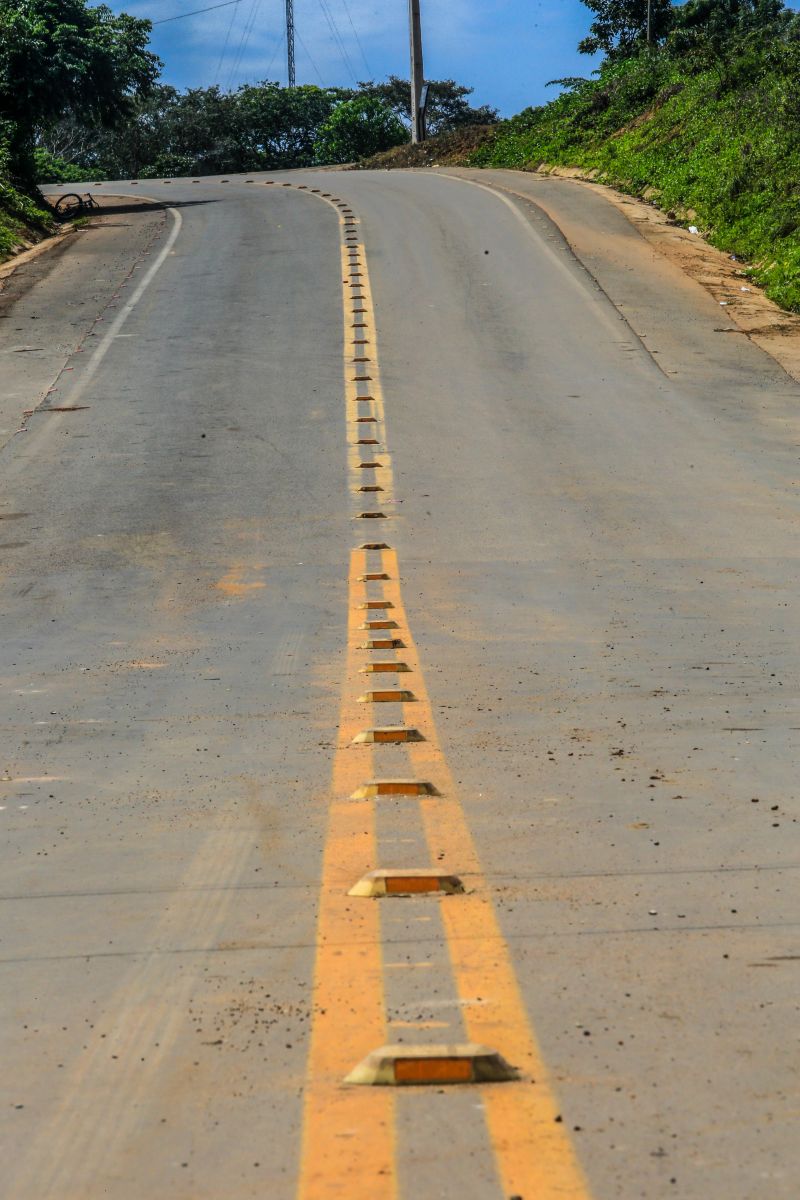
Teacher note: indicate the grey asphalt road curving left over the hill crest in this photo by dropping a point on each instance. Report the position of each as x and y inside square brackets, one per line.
[588, 500]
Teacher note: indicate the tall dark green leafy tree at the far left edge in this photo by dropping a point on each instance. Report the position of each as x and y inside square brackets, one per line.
[62, 59]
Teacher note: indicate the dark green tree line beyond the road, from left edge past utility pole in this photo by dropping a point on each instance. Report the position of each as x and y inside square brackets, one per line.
[81, 100]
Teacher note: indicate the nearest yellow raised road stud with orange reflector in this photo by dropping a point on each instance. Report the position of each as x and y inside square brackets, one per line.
[396, 1066]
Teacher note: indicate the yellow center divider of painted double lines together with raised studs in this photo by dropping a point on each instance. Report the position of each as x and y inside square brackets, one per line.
[350, 1144]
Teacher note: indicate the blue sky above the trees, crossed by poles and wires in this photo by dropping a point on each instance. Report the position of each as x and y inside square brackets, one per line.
[507, 50]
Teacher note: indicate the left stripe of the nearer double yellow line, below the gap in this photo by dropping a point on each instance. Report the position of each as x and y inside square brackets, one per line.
[348, 1135]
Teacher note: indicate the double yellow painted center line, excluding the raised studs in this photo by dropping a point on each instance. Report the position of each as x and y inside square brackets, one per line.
[350, 1147]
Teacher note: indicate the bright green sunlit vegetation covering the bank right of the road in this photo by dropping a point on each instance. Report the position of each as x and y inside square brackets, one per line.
[708, 122]
